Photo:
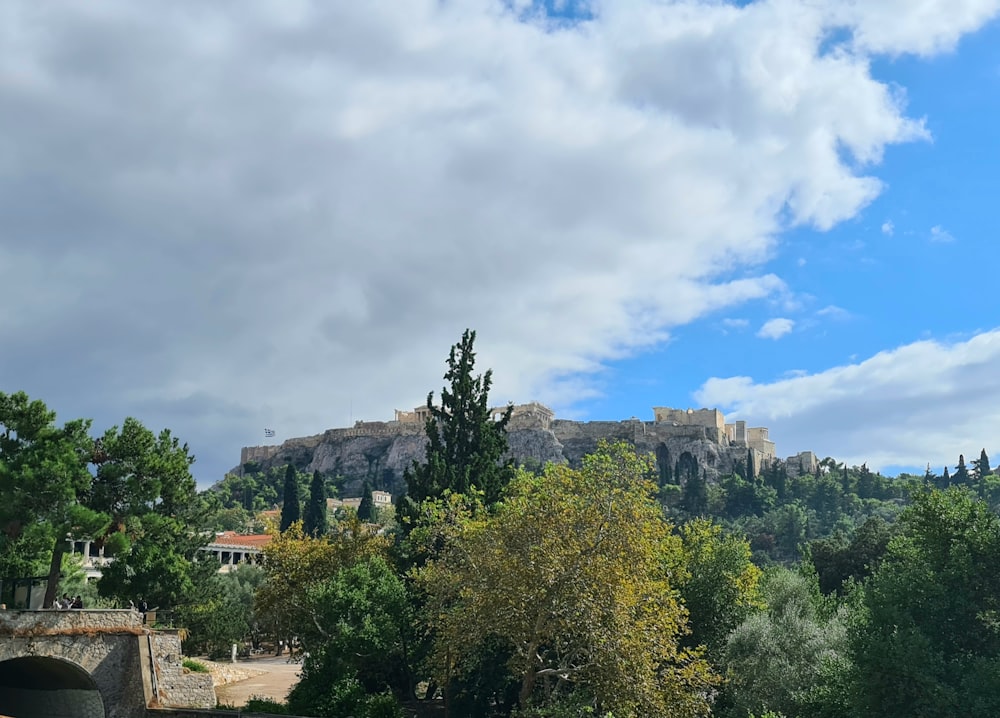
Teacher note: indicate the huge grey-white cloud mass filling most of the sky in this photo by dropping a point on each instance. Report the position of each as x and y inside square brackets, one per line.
[270, 213]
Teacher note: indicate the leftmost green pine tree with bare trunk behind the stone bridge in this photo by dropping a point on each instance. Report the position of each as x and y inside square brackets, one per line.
[44, 481]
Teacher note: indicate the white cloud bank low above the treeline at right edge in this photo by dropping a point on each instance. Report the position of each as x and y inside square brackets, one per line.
[923, 402]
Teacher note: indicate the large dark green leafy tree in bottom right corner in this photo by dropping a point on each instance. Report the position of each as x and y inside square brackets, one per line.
[928, 643]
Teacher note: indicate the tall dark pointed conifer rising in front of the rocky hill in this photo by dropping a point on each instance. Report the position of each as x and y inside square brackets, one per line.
[465, 444]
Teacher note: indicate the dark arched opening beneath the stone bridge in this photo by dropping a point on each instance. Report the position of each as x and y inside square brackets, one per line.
[42, 687]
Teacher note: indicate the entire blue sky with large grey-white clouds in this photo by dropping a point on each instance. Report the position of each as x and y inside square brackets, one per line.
[225, 217]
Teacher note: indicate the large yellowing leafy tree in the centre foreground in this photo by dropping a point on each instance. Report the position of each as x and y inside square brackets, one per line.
[573, 572]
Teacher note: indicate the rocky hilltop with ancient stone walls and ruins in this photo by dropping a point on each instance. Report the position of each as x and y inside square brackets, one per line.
[379, 451]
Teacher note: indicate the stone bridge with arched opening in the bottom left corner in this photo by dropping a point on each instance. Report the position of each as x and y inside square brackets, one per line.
[92, 664]
